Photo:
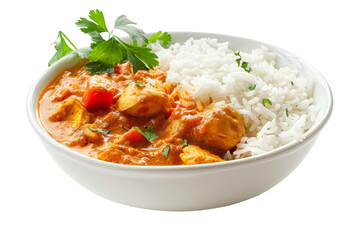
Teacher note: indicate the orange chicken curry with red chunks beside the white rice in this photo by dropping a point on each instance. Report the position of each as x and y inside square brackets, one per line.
[137, 119]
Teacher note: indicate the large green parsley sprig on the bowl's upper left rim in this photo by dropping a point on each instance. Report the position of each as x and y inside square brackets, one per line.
[105, 53]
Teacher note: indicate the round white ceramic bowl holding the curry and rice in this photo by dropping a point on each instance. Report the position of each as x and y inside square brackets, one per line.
[187, 187]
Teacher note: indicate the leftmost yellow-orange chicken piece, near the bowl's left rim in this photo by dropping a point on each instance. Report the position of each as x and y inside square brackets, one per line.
[72, 110]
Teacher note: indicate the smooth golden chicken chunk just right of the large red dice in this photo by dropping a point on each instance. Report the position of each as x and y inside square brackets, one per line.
[143, 101]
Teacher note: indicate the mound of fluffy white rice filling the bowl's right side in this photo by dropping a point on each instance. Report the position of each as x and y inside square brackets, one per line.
[208, 69]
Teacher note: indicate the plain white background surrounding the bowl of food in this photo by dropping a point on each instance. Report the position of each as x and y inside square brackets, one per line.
[319, 200]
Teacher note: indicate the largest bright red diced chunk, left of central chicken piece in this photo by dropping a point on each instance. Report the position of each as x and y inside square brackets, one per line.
[96, 97]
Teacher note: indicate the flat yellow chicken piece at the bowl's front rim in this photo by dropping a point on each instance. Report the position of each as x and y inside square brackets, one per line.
[195, 155]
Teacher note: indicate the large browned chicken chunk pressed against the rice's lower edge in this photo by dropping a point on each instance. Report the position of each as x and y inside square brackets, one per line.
[221, 127]
